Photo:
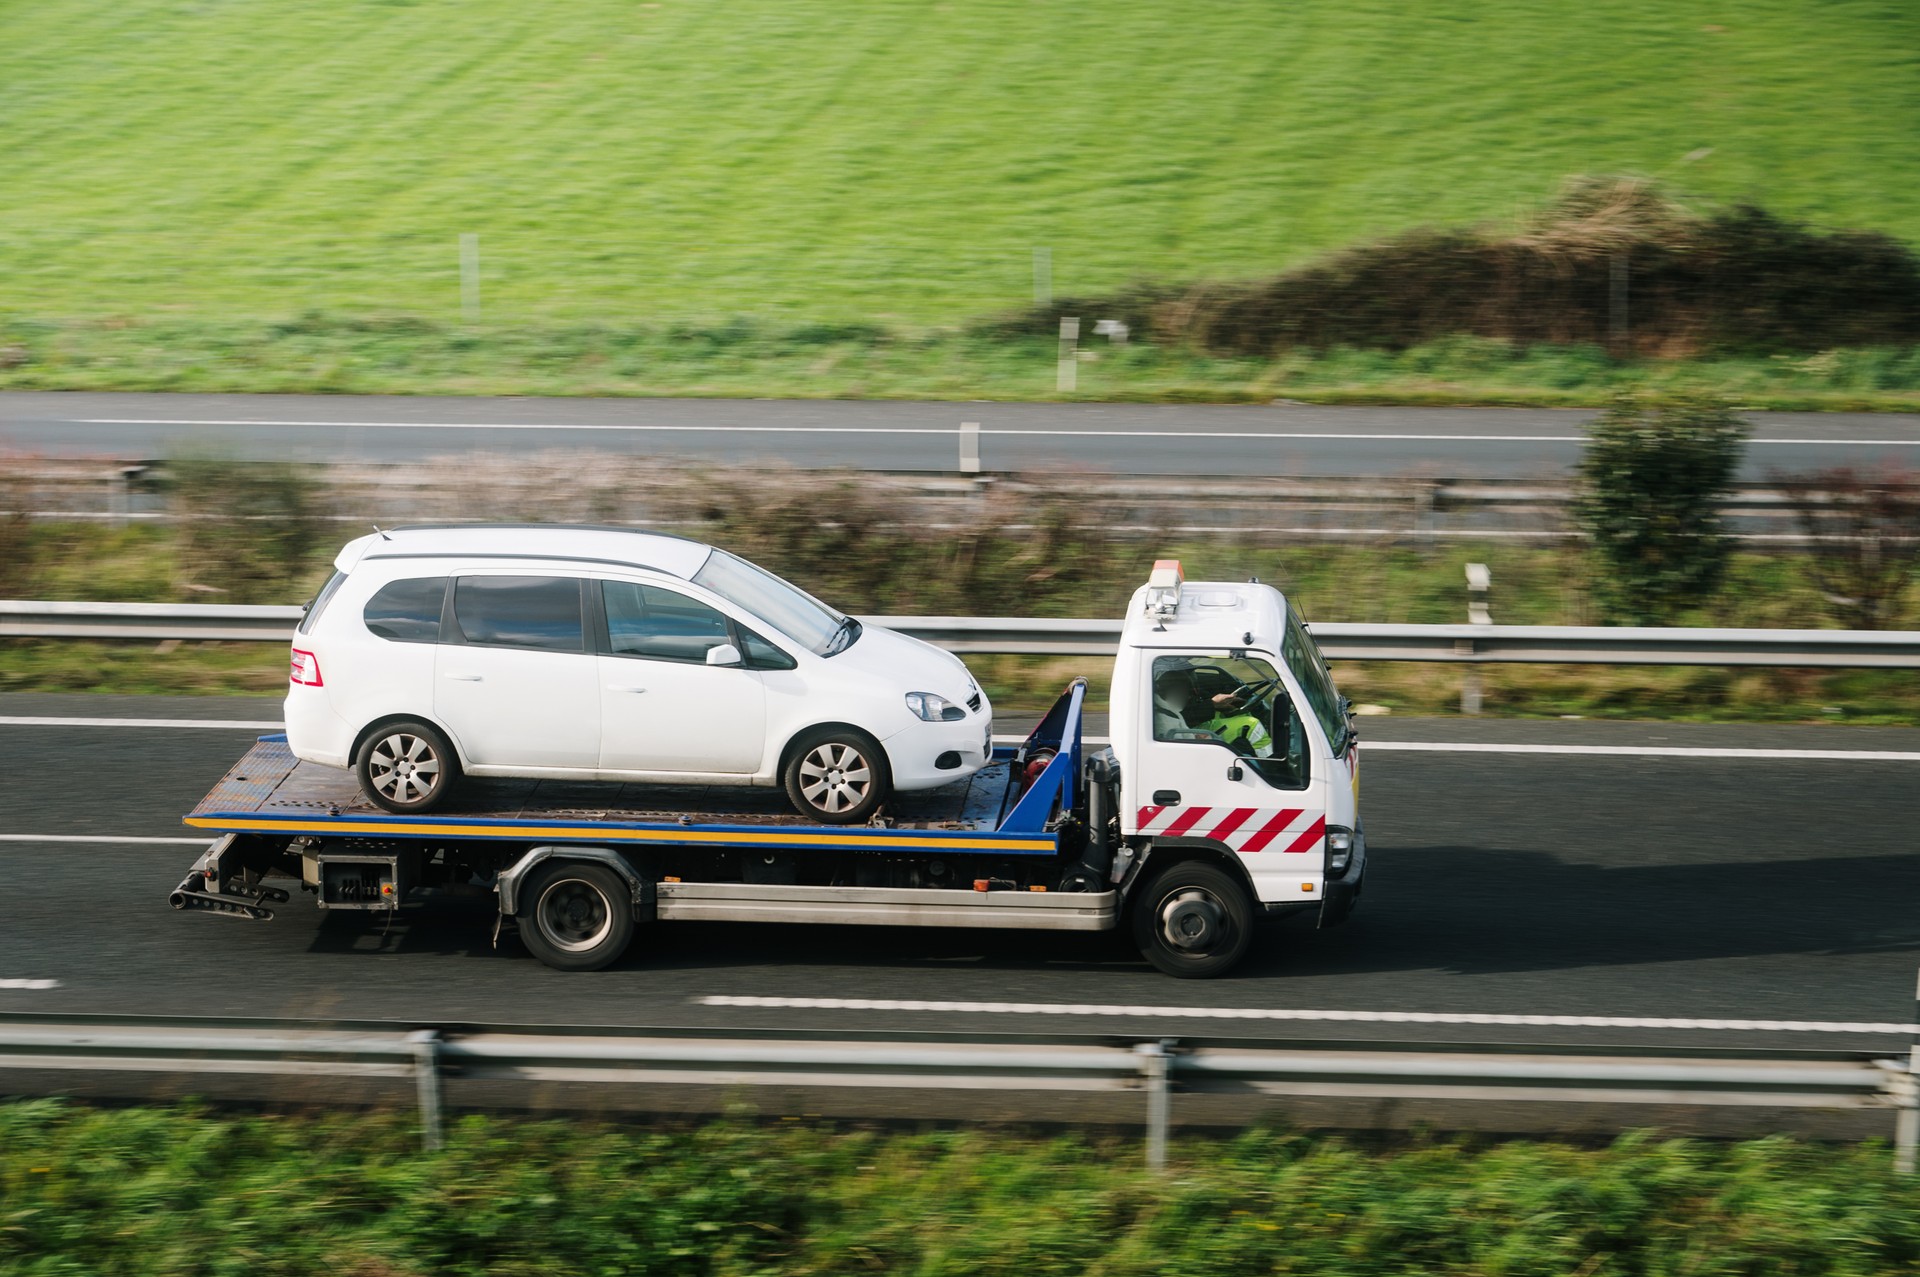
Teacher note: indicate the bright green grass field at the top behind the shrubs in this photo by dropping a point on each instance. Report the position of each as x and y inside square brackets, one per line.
[869, 160]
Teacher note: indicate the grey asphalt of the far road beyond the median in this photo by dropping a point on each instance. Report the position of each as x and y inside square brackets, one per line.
[1120, 439]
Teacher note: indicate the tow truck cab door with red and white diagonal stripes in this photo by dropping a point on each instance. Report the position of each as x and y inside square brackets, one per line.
[1224, 758]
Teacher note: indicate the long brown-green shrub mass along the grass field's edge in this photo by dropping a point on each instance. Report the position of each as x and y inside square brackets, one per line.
[1612, 262]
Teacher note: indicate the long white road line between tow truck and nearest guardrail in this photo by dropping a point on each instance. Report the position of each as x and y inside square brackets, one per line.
[1330, 1017]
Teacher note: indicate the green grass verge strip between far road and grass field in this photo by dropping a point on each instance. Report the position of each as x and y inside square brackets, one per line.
[404, 354]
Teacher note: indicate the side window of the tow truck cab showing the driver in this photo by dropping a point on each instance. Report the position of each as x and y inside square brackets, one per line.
[1234, 704]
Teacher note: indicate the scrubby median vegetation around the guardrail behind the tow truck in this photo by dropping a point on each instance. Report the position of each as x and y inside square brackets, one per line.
[1078, 579]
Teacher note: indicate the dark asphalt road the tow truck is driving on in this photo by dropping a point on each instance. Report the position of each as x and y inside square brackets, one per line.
[1777, 888]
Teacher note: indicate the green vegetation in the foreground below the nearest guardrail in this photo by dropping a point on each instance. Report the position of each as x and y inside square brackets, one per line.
[183, 1193]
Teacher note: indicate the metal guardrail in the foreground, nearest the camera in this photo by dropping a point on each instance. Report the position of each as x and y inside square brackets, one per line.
[878, 1069]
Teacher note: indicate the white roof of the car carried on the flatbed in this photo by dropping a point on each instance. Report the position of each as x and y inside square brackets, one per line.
[660, 552]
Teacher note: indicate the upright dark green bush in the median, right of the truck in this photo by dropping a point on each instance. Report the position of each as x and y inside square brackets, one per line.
[1650, 489]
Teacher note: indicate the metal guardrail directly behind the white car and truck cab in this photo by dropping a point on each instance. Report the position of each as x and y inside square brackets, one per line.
[1101, 638]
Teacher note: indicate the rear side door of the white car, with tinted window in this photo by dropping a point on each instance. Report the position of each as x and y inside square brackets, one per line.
[514, 675]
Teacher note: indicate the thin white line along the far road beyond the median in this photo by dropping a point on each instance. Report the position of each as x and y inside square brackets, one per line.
[955, 431]
